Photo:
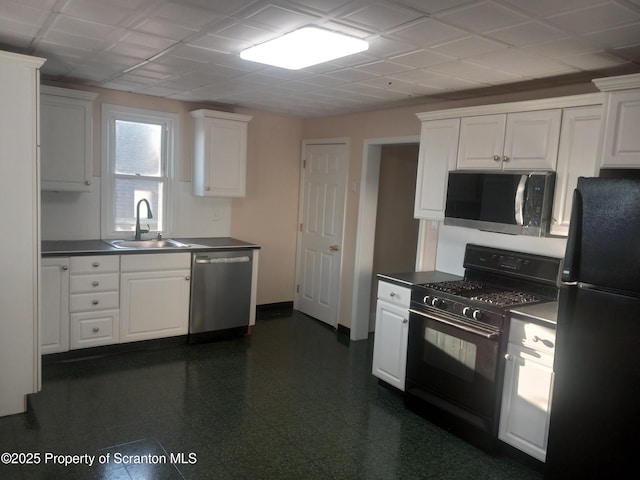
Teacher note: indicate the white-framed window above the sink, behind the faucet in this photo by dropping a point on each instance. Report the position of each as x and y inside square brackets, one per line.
[138, 152]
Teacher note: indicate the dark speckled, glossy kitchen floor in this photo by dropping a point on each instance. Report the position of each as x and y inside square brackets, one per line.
[289, 402]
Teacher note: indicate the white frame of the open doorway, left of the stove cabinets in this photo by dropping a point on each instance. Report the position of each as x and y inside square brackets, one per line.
[365, 234]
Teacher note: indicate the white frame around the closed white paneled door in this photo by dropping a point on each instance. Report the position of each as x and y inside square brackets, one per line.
[346, 142]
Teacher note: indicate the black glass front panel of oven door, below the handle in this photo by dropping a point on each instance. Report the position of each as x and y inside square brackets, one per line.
[457, 365]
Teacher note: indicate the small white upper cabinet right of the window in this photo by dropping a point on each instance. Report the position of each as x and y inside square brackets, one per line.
[219, 153]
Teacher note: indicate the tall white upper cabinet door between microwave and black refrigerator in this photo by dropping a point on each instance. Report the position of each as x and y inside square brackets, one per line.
[577, 157]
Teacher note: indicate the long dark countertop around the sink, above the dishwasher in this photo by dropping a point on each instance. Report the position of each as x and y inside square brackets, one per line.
[52, 248]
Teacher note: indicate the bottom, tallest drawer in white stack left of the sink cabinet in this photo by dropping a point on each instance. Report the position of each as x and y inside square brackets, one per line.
[94, 328]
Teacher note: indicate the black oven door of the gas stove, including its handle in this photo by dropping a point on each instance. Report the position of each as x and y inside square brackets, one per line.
[453, 365]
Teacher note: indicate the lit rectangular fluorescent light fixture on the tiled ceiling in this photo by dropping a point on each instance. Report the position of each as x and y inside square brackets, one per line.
[303, 48]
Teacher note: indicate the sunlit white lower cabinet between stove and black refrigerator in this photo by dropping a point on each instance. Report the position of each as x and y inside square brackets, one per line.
[528, 383]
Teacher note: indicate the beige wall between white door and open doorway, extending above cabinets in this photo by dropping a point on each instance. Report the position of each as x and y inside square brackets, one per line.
[394, 123]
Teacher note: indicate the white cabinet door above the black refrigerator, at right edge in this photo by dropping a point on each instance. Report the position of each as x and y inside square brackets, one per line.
[621, 142]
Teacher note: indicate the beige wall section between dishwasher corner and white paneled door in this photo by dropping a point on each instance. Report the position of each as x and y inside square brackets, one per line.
[268, 215]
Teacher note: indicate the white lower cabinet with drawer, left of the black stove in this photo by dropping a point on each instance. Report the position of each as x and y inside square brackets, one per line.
[391, 334]
